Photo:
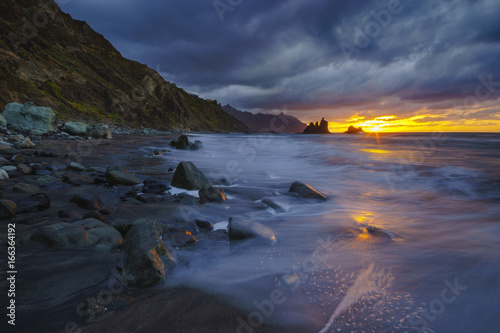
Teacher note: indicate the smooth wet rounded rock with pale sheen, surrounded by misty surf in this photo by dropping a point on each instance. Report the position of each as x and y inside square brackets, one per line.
[239, 229]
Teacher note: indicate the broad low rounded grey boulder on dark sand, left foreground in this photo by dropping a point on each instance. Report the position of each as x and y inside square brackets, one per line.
[89, 232]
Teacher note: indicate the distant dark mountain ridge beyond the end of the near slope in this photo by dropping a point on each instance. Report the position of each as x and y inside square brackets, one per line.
[265, 122]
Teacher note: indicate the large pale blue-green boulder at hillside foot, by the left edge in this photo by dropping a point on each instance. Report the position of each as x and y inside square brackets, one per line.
[27, 117]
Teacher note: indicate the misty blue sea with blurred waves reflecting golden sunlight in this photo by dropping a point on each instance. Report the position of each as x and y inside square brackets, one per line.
[408, 241]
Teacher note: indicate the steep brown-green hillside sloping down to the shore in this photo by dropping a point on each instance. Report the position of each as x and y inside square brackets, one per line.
[51, 59]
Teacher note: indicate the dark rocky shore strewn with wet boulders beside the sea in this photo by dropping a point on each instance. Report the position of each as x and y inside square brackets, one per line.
[97, 227]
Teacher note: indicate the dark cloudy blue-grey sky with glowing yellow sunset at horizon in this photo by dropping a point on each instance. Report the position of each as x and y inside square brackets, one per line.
[386, 65]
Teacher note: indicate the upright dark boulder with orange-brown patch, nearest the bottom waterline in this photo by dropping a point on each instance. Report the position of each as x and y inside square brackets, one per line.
[148, 260]
